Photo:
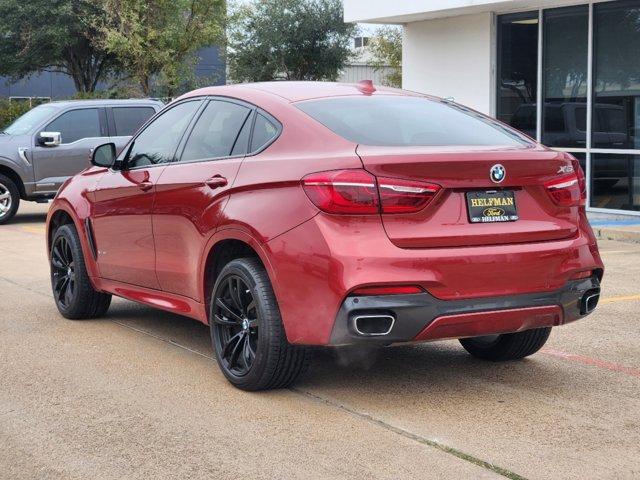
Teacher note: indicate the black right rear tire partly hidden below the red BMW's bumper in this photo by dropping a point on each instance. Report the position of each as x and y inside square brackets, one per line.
[508, 346]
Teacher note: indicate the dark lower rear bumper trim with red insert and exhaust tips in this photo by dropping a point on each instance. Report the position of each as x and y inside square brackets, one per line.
[422, 317]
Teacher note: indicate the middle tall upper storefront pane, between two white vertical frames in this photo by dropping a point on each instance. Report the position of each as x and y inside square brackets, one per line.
[565, 62]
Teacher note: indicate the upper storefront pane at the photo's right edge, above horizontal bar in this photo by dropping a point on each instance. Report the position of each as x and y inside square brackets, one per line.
[616, 105]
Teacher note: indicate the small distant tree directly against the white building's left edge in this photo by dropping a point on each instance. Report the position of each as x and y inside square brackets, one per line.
[386, 51]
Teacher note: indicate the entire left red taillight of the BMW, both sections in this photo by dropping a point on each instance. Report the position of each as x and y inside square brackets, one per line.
[357, 192]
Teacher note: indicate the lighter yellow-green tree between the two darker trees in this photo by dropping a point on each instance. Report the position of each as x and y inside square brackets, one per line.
[154, 38]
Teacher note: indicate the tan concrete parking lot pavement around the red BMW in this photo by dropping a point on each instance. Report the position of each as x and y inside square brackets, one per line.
[137, 395]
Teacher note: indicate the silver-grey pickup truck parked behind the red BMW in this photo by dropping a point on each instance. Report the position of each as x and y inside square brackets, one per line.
[53, 141]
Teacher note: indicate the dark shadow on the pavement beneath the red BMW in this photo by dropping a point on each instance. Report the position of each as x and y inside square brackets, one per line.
[434, 368]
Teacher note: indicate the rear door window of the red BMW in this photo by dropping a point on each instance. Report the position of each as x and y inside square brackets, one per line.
[216, 131]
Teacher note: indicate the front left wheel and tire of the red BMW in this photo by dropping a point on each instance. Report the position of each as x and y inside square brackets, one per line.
[73, 293]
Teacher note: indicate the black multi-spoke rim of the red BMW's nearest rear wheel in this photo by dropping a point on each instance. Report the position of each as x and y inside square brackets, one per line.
[235, 318]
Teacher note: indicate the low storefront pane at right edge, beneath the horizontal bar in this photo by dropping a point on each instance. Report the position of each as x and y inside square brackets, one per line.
[615, 181]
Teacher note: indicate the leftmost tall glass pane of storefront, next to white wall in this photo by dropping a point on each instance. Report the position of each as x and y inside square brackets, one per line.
[517, 70]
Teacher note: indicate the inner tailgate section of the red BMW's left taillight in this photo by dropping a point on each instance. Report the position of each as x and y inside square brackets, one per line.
[405, 196]
